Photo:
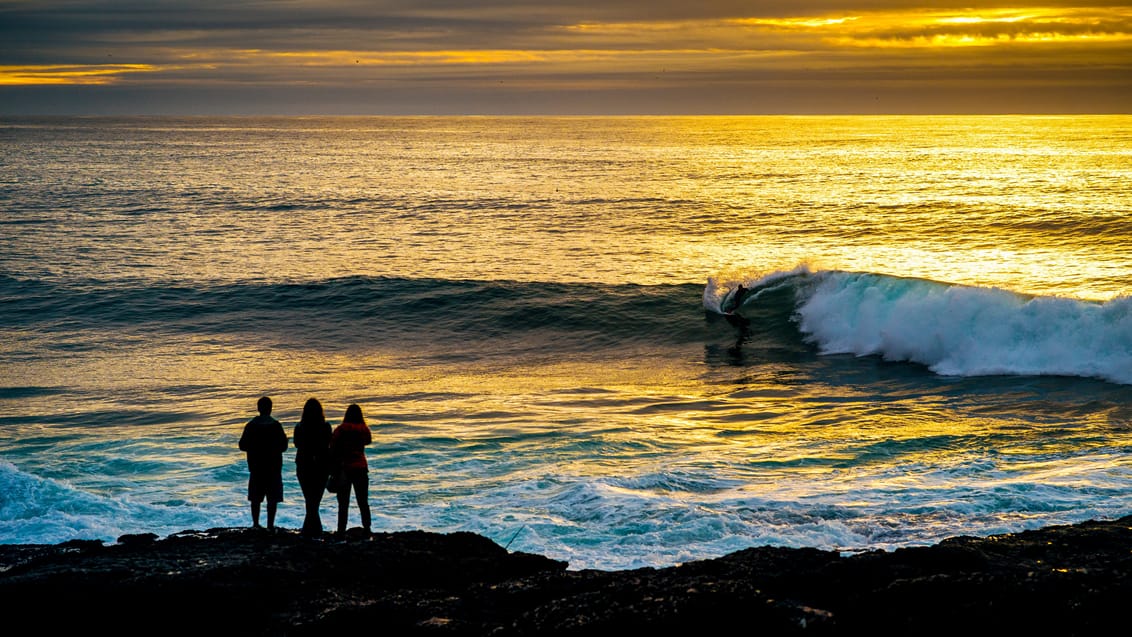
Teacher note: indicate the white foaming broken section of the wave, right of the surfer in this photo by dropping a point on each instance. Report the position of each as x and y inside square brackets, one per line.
[953, 330]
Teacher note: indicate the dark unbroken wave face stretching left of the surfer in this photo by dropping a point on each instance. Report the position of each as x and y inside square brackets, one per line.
[361, 311]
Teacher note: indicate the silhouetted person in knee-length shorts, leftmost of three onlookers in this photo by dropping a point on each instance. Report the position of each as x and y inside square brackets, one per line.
[264, 441]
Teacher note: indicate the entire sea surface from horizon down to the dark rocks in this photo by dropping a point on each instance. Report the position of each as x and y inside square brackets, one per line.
[938, 340]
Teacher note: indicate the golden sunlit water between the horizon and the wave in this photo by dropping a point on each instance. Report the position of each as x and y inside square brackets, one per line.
[1033, 204]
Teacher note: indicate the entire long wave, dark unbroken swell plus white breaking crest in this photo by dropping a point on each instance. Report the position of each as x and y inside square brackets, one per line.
[951, 330]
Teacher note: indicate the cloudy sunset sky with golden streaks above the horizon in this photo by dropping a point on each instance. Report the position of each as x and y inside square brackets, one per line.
[563, 57]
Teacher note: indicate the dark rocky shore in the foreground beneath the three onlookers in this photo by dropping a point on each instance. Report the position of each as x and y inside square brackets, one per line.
[1064, 580]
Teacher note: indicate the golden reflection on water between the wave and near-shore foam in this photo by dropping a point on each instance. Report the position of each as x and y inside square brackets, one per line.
[646, 410]
